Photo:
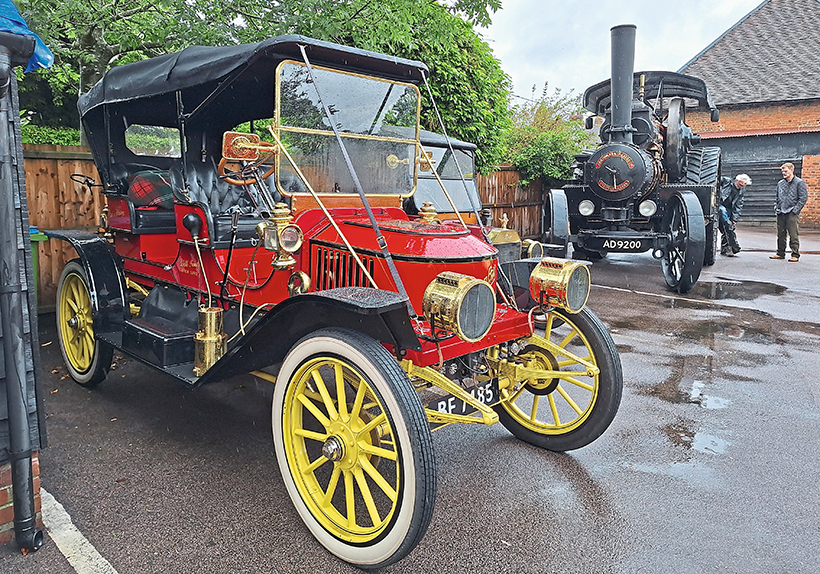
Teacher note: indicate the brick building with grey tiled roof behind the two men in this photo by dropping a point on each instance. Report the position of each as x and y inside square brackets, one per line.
[763, 74]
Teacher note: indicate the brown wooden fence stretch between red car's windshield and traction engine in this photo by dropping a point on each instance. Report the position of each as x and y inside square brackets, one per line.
[502, 193]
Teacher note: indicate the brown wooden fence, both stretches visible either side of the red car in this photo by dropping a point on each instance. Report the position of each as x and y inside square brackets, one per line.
[55, 201]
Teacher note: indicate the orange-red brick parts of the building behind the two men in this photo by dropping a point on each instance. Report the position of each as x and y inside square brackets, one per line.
[785, 117]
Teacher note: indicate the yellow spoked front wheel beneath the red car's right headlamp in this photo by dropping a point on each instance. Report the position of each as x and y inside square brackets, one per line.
[569, 411]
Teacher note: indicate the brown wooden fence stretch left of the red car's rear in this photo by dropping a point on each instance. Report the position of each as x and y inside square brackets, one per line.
[55, 201]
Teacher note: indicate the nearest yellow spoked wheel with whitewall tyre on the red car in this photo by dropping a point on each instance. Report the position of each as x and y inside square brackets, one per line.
[354, 447]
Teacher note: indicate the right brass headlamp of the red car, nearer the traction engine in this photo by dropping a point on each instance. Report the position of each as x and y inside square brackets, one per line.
[560, 283]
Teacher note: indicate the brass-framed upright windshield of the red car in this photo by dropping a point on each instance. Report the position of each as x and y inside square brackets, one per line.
[377, 120]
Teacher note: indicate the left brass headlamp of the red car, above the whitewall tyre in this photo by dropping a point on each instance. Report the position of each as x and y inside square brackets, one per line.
[459, 304]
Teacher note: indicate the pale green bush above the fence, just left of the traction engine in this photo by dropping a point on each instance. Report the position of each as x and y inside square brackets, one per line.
[546, 134]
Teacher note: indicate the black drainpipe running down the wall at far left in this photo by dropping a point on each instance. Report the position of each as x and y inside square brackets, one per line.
[28, 536]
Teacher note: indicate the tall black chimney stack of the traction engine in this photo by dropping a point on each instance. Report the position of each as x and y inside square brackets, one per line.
[623, 65]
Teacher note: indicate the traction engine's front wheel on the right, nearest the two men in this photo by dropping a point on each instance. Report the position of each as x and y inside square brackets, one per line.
[683, 260]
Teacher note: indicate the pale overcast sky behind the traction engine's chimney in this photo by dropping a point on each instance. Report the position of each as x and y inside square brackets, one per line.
[566, 43]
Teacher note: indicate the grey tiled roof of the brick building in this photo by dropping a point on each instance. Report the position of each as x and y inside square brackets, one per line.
[771, 55]
